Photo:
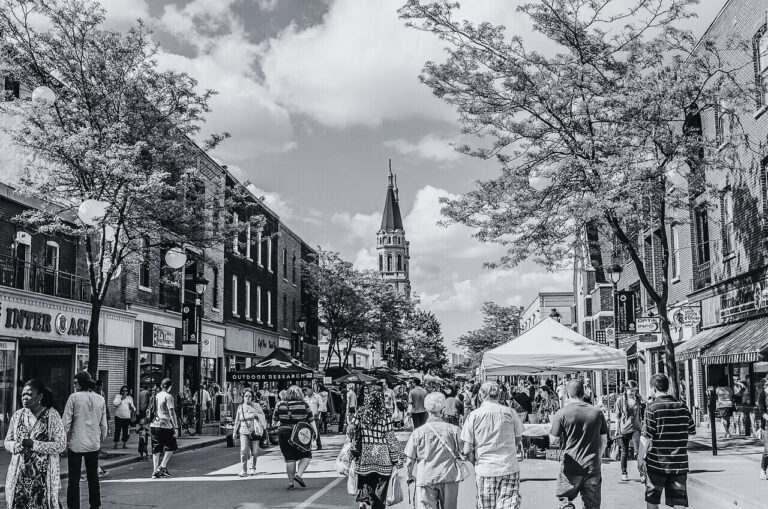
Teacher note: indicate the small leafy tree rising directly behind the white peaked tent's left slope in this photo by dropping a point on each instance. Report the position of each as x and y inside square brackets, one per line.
[500, 324]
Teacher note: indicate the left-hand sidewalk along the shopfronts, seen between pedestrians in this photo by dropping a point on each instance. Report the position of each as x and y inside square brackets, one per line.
[111, 458]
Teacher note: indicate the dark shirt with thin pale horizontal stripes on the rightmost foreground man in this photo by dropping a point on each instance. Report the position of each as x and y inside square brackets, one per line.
[668, 424]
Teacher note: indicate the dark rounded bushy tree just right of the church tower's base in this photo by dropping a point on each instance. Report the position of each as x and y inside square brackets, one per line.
[423, 346]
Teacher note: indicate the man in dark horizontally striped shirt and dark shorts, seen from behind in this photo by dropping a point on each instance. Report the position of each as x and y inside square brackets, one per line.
[663, 450]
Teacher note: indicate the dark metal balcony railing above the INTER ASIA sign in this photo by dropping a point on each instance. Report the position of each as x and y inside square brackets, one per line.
[33, 277]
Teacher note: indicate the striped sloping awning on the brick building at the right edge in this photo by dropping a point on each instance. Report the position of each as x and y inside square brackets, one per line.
[747, 344]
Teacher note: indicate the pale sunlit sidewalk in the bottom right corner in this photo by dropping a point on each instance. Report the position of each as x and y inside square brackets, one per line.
[734, 473]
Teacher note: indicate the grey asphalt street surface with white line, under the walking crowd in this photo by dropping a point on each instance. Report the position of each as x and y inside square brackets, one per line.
[207, 478]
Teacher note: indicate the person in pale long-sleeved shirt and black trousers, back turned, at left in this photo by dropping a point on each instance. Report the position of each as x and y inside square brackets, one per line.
[85, 424]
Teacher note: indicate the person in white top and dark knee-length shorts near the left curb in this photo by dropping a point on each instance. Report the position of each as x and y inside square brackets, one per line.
[162, 429]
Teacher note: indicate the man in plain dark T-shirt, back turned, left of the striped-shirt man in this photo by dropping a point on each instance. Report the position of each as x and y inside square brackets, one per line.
[583, 431]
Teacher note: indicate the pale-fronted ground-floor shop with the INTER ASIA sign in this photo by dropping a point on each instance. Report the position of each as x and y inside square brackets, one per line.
[46, 338]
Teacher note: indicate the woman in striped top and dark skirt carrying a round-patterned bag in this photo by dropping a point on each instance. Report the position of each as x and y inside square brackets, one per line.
[289, 412]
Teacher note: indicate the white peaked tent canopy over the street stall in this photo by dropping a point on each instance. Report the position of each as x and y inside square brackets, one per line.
[551, 348]
